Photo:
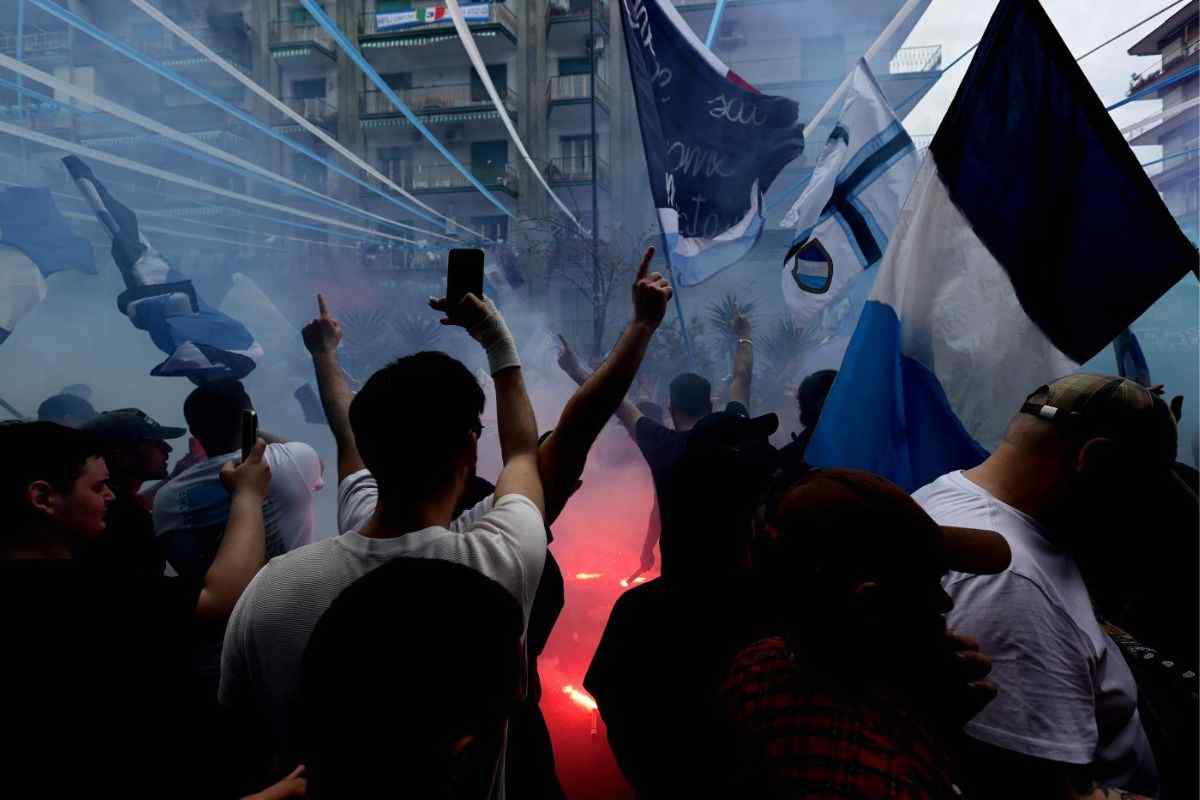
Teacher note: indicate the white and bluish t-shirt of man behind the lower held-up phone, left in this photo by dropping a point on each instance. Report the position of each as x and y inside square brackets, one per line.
[197, 501]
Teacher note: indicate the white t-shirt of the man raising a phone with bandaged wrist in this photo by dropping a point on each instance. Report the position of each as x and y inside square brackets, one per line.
[505, 540]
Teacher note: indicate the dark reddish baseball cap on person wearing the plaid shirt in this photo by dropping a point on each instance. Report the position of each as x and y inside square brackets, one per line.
[841, 519]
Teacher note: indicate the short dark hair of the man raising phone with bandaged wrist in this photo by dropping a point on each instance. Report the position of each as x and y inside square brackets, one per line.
[411, 422]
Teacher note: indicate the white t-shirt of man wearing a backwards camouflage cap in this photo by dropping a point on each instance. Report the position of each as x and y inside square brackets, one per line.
[1066, 694]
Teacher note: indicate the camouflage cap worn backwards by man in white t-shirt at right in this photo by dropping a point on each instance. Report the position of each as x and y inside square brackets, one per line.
[1117, 408]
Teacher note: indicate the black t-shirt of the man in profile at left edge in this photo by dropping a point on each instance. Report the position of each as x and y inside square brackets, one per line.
[98, 697]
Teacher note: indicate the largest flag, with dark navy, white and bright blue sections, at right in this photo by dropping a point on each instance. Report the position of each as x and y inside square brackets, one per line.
[1030, 240]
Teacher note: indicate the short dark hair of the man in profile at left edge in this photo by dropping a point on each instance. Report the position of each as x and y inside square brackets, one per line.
[40, 452]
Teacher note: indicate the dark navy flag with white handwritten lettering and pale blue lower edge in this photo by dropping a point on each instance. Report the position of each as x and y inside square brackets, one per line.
[713, 143]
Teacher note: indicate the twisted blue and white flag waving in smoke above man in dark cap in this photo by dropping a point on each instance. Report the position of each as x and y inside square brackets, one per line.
[201, 342]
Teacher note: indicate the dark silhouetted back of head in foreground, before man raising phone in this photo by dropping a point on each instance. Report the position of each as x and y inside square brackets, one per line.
[455, 669]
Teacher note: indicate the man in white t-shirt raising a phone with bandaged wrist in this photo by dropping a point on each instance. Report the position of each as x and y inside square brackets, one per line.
[417, 425]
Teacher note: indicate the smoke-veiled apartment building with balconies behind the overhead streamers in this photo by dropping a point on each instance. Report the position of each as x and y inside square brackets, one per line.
[581, 131]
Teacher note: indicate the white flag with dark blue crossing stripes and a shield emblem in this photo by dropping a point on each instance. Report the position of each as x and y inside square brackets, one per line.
[847, 213]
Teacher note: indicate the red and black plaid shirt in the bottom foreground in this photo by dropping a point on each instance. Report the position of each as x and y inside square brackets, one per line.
[801, 738]
